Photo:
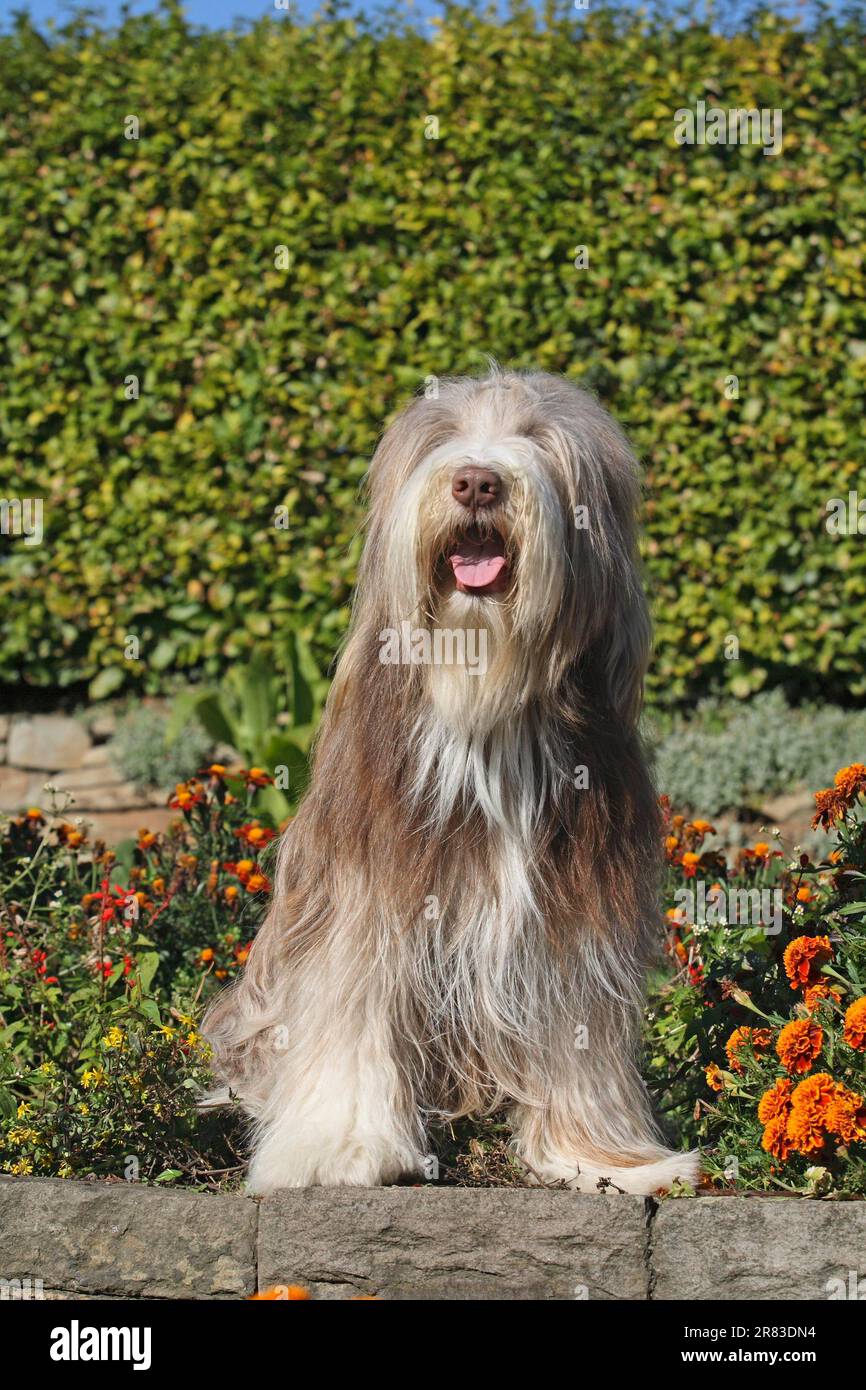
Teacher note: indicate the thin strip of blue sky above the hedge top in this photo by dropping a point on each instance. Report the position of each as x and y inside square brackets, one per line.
[222, 13]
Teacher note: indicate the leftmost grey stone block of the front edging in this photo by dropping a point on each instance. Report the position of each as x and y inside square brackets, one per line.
[127, 1241]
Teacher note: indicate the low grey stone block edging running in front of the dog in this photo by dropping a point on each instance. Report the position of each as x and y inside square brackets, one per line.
[109, 1241]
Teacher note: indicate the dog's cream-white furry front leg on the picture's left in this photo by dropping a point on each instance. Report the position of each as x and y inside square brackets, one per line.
[340, 1110]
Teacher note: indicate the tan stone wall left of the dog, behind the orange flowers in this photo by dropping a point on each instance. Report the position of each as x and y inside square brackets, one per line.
[73, 757]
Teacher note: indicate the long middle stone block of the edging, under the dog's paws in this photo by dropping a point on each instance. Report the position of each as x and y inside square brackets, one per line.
[415, 1243]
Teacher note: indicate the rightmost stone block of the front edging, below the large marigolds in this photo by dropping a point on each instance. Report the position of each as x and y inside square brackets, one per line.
[754, 1248]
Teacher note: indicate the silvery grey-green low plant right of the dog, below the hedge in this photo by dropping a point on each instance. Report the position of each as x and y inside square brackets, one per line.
[733, 757]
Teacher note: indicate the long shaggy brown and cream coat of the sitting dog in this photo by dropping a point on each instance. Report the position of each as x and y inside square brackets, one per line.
[458, 924]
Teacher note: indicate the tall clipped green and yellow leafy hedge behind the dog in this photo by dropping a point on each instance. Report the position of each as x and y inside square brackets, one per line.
[415, 258]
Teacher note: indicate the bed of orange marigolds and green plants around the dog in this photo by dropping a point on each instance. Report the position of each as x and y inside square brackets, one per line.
[755, 1035]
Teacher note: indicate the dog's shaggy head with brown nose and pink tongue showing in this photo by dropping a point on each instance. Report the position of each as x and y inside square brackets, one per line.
[509, 505]
